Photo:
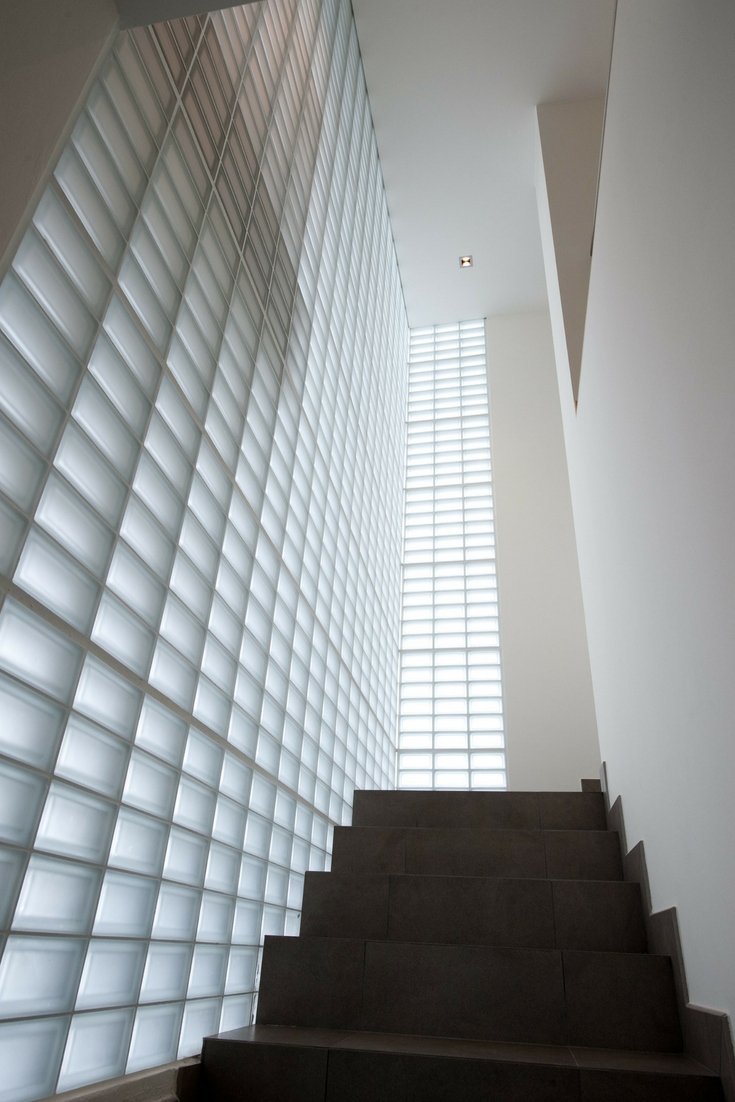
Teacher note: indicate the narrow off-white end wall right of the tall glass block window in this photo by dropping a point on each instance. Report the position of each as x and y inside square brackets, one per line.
[550, 717]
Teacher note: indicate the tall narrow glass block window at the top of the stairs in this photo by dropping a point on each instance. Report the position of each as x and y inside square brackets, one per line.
[451, 706]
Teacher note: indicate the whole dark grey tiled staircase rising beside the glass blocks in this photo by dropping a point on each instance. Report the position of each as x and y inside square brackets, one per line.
[466, 946]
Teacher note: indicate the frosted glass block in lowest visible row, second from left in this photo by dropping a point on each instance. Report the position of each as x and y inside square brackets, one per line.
[96, 1049]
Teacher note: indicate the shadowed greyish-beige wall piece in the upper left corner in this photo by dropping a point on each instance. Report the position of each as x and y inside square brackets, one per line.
[49, 55]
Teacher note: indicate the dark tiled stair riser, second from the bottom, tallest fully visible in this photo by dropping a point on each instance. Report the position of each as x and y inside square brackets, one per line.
[525, 996]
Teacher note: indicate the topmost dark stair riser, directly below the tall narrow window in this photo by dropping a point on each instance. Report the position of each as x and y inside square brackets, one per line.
[484, 811]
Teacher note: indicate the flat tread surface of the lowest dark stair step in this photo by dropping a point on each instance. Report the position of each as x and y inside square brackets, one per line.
[677, 1064]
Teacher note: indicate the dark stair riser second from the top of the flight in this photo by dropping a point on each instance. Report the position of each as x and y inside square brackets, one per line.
[536, 855]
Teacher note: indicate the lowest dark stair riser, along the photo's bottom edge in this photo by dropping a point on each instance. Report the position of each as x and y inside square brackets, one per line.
[232, 1073]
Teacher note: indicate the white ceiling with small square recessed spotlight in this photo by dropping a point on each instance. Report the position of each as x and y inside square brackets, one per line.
[453, 87]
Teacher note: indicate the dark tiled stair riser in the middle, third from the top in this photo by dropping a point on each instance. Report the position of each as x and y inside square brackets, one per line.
[524, 914]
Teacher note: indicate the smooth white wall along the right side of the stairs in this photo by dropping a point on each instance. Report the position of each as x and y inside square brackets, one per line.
[653, 464]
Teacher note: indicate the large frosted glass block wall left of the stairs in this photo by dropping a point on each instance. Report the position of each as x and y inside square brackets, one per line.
[203, 349]
